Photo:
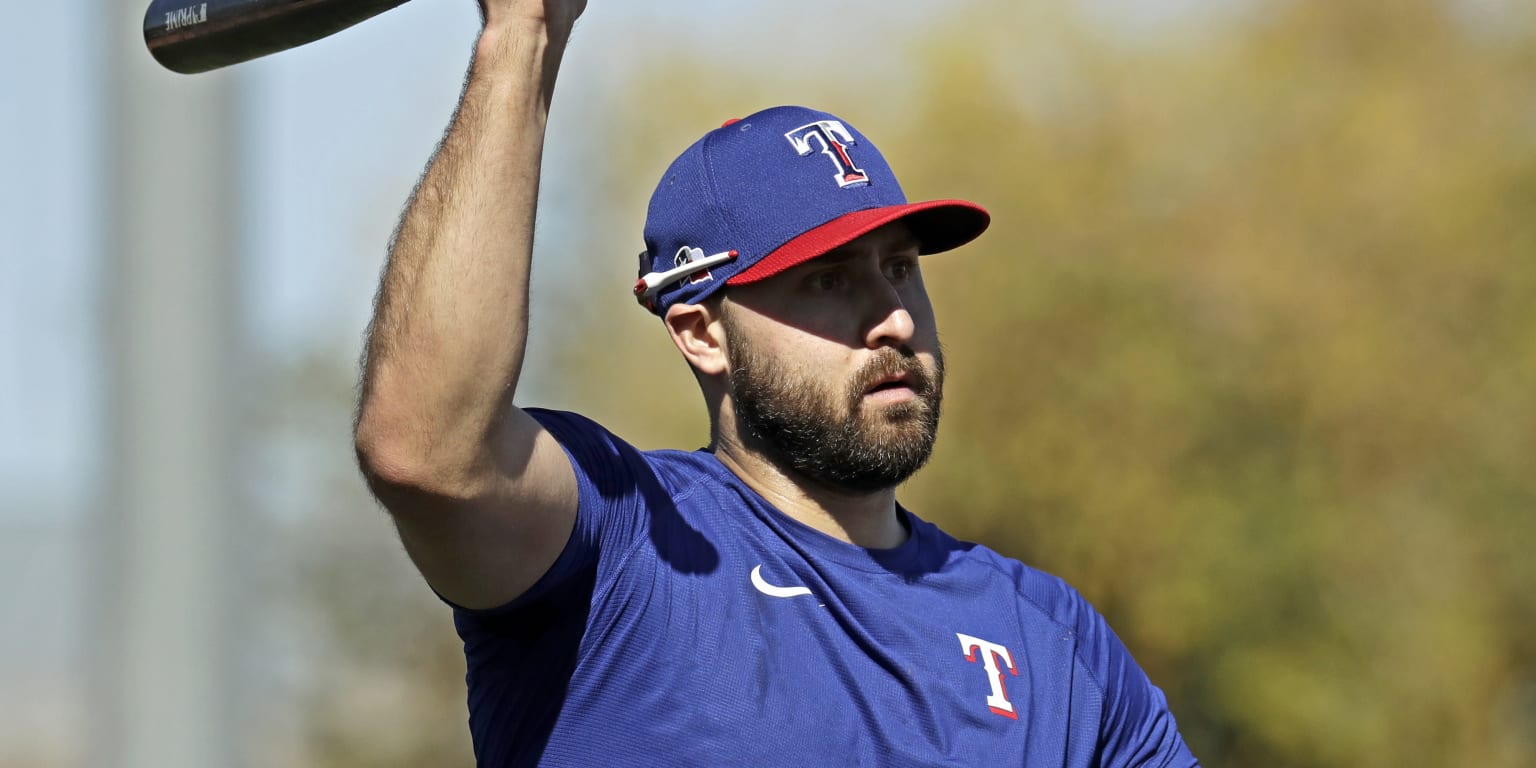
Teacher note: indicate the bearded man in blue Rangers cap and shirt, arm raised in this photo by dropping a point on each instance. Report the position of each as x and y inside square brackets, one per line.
[764, 601]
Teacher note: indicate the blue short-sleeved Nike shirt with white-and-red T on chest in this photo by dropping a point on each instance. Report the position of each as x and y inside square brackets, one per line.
[690, 623]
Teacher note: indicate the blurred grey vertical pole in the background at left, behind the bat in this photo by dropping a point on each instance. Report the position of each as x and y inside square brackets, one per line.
[164, 532]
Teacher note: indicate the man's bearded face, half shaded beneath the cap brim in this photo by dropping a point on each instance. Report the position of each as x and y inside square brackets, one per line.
[836, 369]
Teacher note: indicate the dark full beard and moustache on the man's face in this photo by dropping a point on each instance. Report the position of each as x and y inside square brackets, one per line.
[824, 431]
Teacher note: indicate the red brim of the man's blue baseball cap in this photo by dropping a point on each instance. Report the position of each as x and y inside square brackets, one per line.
[938, 225]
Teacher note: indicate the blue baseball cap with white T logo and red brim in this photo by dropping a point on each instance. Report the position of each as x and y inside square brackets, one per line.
[767, 193]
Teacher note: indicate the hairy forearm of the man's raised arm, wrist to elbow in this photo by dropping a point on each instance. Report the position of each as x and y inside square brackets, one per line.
[448, 339]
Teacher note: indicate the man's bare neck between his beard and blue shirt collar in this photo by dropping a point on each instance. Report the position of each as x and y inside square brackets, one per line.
[862, 518]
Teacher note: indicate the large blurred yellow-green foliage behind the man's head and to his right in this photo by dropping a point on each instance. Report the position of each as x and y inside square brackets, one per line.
[1248, 357]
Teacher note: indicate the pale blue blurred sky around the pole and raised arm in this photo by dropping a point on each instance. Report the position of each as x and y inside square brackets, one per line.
[333, 139]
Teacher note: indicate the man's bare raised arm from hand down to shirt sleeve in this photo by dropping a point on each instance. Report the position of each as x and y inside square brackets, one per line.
[483, 497]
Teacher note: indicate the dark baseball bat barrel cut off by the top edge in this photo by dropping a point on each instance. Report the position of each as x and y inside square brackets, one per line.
[196, 36]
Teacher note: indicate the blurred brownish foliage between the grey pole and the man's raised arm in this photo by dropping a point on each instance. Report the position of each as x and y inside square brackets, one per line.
[380, 678]
